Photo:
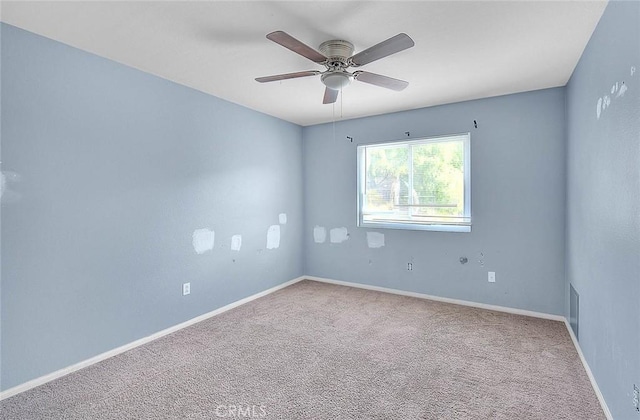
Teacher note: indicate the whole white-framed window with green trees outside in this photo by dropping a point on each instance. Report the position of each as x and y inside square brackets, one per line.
[419, 184]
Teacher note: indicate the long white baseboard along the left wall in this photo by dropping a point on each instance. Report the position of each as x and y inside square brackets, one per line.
[75, 367]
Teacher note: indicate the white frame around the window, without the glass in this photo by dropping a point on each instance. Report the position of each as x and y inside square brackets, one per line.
[438, 227]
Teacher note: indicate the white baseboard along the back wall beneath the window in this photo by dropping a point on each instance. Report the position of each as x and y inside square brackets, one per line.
[442, 299]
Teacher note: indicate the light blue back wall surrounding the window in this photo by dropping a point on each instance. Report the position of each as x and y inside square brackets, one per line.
[518, 189]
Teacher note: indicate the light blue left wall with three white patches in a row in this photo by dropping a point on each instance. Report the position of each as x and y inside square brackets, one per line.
[110, 171]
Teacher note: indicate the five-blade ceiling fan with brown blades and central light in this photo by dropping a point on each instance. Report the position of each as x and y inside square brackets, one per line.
[336, 56]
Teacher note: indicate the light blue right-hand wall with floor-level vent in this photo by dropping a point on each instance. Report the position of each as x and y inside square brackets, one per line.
[603, 203]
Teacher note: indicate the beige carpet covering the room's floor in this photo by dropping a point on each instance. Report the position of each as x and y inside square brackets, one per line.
[321, 351]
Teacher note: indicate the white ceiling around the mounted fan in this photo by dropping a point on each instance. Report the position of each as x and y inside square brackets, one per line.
[464, 49]
